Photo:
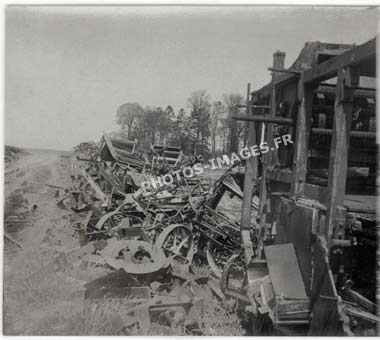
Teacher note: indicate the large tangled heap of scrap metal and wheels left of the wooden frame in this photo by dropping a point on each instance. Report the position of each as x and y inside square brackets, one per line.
[148, 238]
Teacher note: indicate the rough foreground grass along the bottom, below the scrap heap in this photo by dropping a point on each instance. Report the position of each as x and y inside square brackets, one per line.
[39, 302]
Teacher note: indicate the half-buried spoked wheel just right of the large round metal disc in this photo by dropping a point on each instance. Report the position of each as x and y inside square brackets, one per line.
[177, 241]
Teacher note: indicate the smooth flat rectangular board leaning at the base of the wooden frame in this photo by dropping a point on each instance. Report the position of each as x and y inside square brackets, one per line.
[284, 271]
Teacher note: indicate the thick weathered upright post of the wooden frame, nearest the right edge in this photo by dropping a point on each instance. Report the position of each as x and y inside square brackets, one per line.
[347, 80]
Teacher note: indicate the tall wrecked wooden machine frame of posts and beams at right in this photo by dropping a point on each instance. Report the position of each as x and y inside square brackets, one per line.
[322, 214]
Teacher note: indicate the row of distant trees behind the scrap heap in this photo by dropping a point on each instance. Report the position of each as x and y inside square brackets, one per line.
[202, 127]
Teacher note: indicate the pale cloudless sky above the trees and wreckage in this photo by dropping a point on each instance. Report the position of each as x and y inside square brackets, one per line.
[68, 68]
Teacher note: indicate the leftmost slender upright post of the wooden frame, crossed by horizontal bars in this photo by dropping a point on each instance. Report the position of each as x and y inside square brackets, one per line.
[250, 175]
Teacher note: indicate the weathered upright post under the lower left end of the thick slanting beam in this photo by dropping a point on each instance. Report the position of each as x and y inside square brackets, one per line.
[305, 99]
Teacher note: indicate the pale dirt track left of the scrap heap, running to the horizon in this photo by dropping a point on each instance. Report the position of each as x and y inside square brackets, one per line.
[25, 187]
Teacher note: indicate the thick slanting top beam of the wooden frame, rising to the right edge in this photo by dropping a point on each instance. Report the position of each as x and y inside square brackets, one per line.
[330, 67]
